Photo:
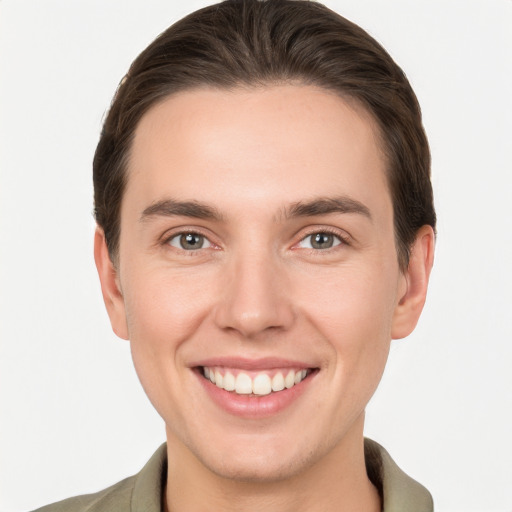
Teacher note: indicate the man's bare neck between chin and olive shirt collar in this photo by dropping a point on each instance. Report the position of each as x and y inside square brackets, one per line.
[337, 481]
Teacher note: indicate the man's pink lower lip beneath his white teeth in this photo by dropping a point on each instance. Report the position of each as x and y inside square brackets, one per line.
[254, 406]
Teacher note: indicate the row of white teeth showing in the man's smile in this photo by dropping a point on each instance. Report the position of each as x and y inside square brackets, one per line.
[255, 383]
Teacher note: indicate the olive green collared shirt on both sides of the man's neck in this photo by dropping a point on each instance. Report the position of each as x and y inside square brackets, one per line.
[143, 492]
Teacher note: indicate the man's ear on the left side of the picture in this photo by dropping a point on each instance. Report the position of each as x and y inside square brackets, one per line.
[110, 287]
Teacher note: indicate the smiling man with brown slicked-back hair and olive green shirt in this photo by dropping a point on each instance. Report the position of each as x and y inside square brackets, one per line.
[265, 228]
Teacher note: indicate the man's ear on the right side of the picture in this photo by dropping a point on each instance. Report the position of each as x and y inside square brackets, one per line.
[410, 305]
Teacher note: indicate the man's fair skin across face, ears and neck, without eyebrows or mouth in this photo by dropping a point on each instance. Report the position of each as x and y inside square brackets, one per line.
[257, 288]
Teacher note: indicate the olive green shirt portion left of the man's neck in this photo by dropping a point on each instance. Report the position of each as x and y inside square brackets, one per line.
[129, 494]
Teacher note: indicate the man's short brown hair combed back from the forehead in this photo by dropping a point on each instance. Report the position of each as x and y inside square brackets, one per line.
[254, 43]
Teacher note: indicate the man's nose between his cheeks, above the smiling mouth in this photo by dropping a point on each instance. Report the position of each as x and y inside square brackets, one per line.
[254, 299]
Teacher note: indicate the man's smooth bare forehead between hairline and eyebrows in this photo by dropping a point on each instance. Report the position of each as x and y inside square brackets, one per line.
[278, 144]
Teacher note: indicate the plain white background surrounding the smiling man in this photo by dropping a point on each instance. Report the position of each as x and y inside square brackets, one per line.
[73, 416]
